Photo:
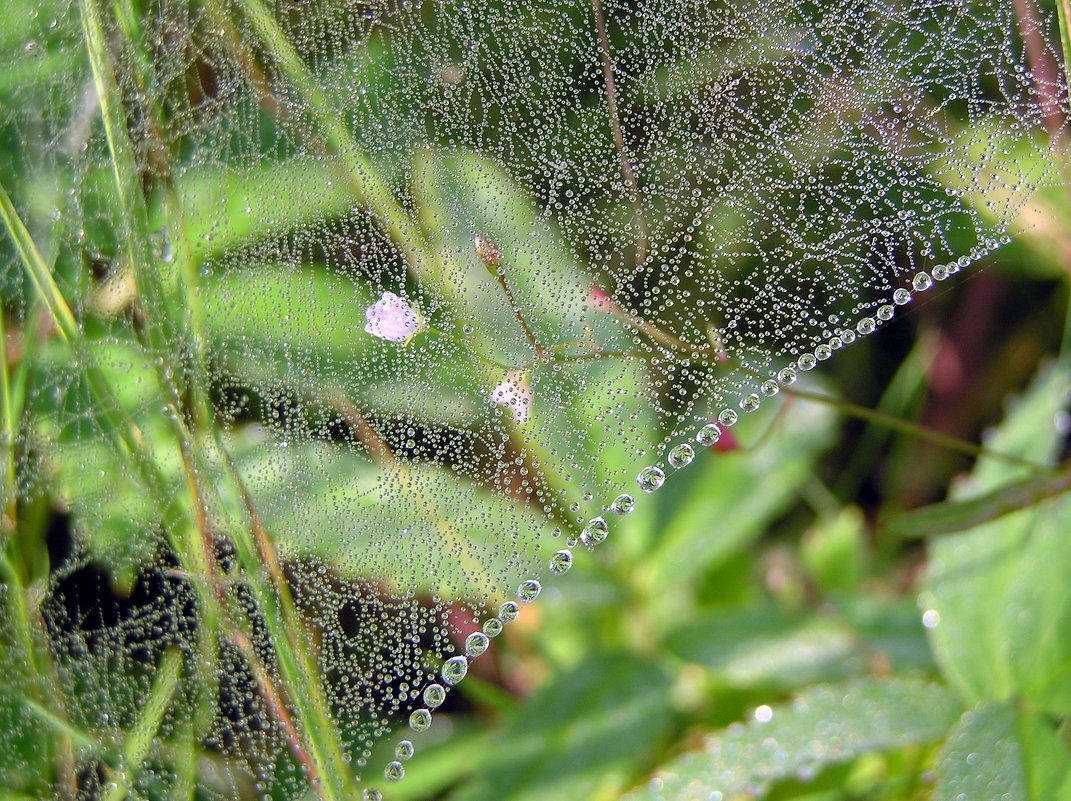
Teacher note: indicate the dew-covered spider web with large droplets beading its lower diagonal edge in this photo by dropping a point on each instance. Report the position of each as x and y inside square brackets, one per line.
[331, 330]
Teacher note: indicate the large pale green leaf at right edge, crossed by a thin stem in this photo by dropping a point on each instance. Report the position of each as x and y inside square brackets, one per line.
[1000, 593]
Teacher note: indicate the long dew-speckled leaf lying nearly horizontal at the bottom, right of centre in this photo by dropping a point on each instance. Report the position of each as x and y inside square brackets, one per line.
[825, 726]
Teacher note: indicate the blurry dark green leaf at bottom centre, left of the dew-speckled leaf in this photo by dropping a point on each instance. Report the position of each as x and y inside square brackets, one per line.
[584, 736]
